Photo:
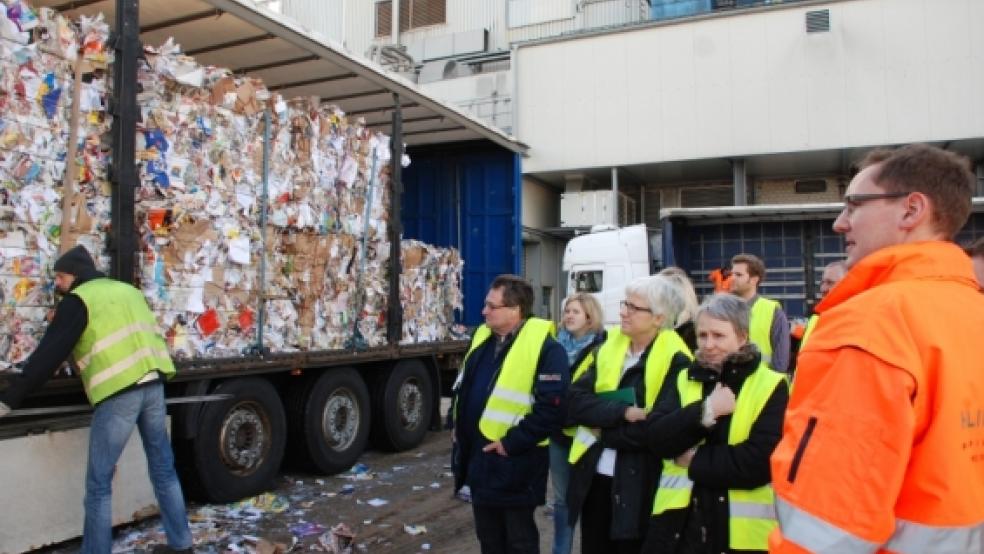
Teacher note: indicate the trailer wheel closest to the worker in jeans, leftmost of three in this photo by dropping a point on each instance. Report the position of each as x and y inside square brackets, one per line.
[240, 441]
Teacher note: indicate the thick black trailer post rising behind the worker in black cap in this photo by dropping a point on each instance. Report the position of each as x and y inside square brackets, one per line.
[123, 106]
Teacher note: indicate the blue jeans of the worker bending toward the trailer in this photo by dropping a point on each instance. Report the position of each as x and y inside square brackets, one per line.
[112, 424]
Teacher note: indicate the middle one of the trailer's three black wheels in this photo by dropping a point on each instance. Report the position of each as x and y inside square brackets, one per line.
[330, 419]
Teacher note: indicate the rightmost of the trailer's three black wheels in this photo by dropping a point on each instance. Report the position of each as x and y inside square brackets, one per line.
[402, 407]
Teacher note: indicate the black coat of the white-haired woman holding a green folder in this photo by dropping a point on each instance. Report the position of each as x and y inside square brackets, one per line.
[636, 470]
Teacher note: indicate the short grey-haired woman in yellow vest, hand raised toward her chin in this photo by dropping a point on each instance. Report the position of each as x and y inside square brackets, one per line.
[715, 427]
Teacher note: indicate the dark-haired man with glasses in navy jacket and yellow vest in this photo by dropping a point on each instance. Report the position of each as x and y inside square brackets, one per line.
[507, 403]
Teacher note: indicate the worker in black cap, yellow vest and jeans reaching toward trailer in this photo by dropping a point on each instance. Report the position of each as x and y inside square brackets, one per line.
[106, 326]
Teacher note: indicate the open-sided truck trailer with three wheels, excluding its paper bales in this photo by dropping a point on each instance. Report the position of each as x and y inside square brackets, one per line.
[319, 406]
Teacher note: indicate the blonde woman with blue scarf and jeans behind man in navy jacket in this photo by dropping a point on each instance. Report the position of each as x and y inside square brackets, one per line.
[581, 331]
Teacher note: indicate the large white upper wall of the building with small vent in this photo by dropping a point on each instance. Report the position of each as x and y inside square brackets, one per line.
[889, 71]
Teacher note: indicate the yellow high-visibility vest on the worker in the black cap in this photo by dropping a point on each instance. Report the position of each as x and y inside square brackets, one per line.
[120, 343]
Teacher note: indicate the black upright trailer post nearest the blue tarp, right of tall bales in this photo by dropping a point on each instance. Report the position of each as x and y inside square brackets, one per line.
[394, 315]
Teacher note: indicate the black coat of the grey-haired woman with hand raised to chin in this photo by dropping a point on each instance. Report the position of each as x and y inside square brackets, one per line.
[716, 467]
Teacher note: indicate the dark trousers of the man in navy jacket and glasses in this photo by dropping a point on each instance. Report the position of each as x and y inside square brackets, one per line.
[506, 530]
